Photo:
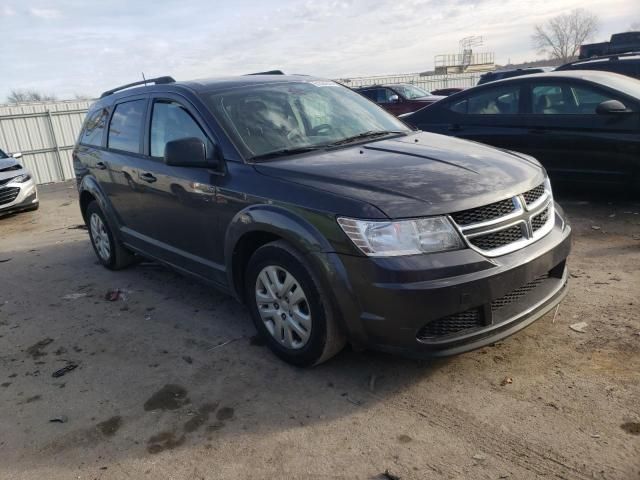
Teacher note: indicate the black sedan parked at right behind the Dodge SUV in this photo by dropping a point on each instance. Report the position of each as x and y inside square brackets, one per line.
[583, 126]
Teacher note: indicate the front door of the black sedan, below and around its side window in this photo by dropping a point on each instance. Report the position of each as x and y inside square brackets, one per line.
[575, 143]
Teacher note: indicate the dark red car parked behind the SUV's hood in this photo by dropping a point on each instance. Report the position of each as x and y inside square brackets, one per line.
[399, 98]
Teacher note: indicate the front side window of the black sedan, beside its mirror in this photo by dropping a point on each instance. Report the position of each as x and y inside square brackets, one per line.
[563, 99]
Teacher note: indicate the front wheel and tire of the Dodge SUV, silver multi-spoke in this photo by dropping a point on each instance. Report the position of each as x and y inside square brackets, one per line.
[320, 337]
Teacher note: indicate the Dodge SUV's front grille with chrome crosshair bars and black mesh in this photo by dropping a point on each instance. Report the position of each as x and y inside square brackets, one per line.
[508, 225]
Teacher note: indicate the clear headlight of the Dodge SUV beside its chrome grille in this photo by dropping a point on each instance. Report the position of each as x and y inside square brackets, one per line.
[405, 237]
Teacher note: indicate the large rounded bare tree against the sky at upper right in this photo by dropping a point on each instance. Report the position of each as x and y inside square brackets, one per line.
[562, 36]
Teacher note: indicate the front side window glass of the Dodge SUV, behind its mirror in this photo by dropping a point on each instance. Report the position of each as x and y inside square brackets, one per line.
[171, 121]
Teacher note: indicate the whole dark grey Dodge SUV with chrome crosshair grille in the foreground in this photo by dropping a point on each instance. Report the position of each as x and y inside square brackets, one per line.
[327, 216]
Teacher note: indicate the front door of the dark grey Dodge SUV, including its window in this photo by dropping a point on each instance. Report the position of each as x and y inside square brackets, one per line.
[179, 202]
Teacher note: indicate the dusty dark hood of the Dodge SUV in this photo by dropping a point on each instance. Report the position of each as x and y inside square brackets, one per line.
[415, 175]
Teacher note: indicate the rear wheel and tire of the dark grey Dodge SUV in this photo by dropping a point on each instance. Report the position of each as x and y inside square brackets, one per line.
[114, 256]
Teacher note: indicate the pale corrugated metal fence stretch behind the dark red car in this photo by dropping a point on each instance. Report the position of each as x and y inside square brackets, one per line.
[428, 82]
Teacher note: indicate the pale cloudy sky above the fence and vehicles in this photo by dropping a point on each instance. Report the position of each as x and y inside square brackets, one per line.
[69, 47]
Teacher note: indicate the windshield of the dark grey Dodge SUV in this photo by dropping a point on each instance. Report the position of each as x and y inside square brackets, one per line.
[290, 116]
